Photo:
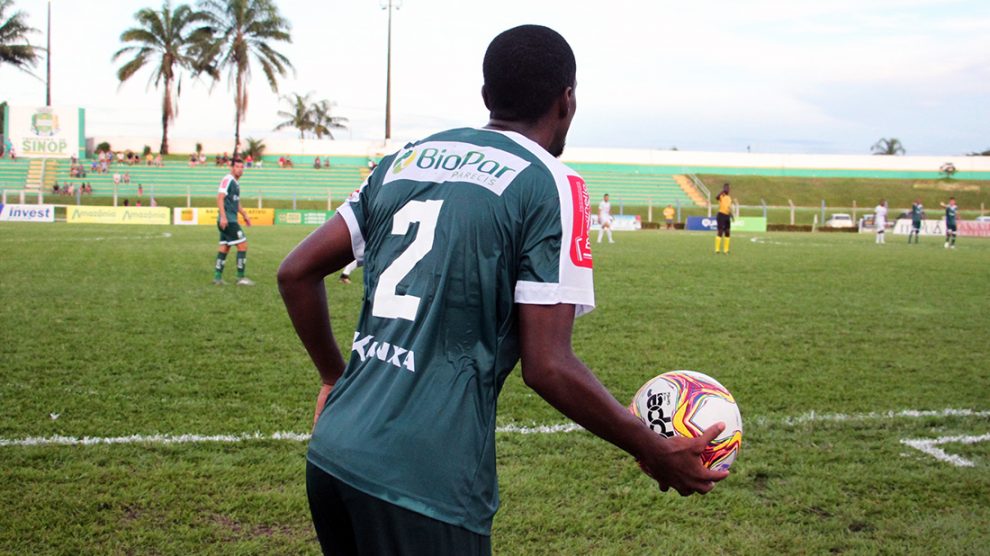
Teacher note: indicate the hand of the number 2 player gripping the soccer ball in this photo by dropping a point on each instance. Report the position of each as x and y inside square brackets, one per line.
[677, 464]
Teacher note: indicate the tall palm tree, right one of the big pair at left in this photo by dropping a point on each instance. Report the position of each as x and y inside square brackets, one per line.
[243, 29]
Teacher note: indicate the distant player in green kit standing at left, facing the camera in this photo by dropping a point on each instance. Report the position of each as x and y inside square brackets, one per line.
[229, 206]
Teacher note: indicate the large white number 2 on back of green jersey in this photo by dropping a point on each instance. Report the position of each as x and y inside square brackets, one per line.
[387, 304]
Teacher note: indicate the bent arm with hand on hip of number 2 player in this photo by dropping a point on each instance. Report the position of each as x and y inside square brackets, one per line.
[300, 281]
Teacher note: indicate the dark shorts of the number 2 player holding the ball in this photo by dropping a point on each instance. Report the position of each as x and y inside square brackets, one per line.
[349, 521]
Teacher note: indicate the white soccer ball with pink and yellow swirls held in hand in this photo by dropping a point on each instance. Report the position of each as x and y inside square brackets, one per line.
[685, 403]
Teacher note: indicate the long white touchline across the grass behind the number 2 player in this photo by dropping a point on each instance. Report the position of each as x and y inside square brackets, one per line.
[509, 429]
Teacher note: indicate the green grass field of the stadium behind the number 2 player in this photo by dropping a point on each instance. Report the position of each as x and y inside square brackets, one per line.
[837, 350]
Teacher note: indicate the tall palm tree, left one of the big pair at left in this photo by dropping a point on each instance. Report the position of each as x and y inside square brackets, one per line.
[168, 40]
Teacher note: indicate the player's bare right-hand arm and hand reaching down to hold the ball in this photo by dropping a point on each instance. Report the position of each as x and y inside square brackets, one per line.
[551, 368]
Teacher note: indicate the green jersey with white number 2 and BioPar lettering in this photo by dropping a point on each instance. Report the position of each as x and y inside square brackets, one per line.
[453, 232]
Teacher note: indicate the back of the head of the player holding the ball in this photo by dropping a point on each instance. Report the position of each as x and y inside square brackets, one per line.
[526, 68]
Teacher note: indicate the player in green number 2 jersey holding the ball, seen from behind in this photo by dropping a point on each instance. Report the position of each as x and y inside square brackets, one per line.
[476, 253]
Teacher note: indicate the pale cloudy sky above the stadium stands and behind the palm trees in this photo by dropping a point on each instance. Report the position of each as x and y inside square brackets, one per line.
[773, 76]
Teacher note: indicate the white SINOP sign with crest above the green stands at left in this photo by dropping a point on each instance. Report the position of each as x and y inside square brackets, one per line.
[45, 131]
